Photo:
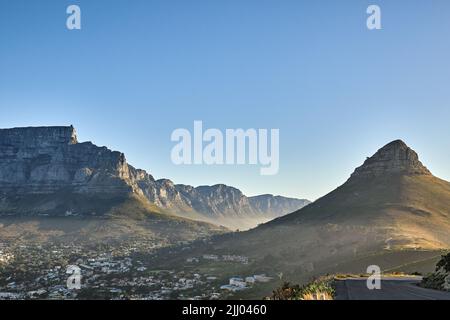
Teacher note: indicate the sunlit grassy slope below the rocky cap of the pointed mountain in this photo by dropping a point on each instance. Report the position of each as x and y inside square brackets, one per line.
[398, 212]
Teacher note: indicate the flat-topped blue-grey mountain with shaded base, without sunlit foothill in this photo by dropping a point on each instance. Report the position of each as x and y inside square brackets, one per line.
[46, 171]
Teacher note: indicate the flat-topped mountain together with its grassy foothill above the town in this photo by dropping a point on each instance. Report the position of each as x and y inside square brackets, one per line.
[50, 183]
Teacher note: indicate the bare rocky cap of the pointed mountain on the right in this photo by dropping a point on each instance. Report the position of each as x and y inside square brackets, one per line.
[394, 158]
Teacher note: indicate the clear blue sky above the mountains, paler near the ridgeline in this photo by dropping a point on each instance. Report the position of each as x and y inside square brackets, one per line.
[139, 69]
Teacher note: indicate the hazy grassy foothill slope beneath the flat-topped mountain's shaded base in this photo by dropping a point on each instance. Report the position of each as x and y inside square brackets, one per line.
[126, 218]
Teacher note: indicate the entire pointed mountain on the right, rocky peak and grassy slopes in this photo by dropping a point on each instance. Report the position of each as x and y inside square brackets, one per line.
[391, 212]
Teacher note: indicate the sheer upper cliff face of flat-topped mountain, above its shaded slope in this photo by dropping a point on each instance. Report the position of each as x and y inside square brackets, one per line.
[46, 159]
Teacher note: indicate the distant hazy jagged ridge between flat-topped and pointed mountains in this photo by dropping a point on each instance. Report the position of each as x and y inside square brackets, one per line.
[223, 205]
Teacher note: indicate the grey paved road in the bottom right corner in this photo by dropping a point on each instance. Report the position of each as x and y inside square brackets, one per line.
[391, 289]
